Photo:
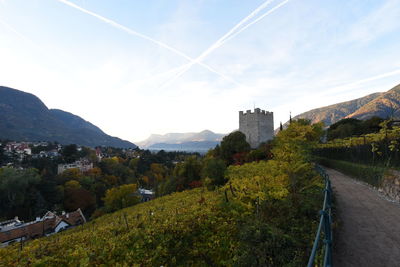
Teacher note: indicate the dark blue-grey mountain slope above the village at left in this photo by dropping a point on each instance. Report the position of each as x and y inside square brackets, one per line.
[24, 117]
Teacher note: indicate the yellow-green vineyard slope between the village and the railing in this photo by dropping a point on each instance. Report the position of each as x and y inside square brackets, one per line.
[265, 215]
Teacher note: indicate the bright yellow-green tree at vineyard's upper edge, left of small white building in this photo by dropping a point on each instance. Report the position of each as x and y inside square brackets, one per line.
[121, 197]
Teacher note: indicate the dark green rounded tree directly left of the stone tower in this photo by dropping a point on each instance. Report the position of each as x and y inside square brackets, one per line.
[232, 144]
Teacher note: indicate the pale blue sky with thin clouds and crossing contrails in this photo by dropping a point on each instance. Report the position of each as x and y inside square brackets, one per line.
[136, 68]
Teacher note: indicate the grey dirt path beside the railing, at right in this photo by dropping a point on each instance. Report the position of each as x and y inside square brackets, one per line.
[369, 231]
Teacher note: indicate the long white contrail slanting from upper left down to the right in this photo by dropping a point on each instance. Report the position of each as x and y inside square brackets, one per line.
[138, 34]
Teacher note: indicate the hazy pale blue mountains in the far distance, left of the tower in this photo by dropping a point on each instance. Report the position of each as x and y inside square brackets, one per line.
[201, 141]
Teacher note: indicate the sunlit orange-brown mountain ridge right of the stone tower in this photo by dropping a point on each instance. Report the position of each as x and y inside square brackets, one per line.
[382, 104]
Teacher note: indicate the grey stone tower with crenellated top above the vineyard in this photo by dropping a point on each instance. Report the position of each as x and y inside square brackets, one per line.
[258, 126]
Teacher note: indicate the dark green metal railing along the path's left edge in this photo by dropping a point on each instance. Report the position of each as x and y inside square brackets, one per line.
[324, 231]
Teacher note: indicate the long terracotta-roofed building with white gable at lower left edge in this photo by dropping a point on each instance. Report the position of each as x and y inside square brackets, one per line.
[15, 230]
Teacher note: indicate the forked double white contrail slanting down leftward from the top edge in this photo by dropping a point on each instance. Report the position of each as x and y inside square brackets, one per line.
[230, 34]
